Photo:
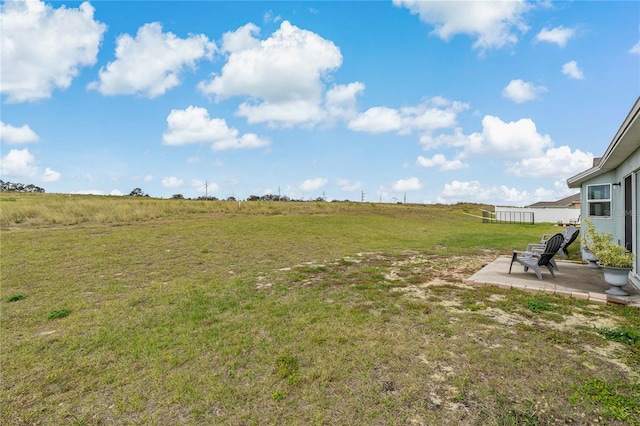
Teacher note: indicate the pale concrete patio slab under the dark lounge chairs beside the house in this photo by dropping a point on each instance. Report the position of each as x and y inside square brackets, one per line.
[572, 279]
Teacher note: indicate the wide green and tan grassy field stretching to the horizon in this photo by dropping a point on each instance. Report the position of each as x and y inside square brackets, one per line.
[120, 310]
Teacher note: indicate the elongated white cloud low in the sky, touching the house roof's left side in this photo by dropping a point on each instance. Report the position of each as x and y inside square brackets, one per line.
[556, 162]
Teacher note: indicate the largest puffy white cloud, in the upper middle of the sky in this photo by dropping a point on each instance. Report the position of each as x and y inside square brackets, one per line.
[282, 75]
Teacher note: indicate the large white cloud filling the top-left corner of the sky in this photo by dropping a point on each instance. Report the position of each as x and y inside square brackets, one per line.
[44, 48]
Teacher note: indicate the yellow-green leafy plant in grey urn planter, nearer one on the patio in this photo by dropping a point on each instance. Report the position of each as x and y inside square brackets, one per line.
[616, 263]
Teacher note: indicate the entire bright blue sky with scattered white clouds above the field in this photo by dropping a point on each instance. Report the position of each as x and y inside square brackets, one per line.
[490, 102]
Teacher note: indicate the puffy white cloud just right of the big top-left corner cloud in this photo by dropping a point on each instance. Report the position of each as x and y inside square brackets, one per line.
[151, 63]
